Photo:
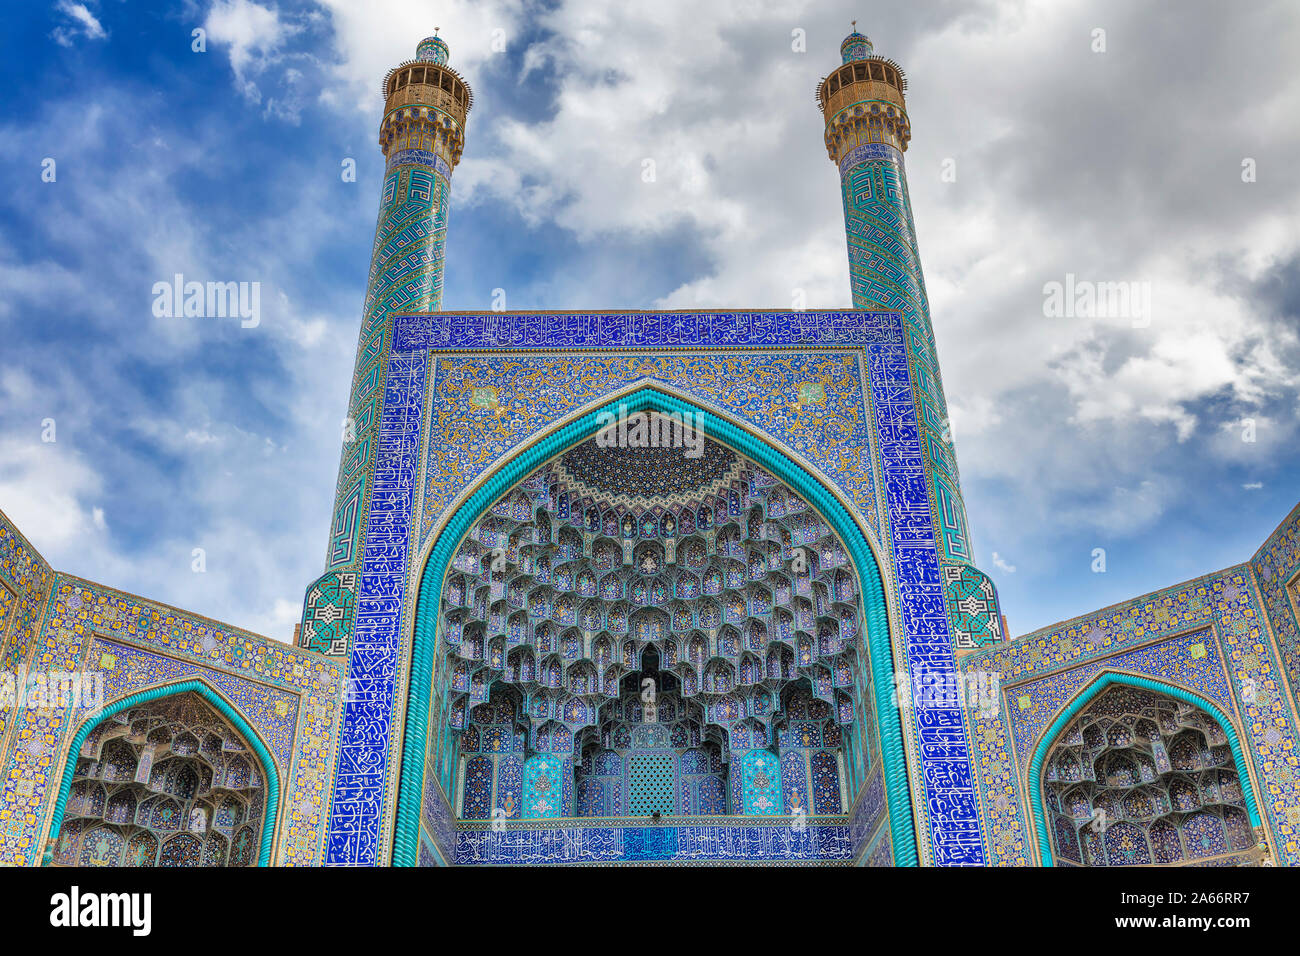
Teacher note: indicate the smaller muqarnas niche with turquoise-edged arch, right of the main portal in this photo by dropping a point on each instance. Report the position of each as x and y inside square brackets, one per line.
[1141, 773]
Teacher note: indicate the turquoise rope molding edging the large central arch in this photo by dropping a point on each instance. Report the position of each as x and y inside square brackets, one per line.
[411, 780]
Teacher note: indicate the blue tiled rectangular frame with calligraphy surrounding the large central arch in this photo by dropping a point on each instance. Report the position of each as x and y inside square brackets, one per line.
[744, 365]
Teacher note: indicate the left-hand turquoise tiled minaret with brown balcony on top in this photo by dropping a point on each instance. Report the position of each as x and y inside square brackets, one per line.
[422, 135]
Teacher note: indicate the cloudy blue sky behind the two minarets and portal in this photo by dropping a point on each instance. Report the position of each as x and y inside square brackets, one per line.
[1123, 165]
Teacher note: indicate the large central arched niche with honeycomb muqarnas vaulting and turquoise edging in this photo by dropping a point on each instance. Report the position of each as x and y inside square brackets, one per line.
[627, 630]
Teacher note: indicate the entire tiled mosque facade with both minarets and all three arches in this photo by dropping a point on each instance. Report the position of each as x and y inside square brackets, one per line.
[532, 643]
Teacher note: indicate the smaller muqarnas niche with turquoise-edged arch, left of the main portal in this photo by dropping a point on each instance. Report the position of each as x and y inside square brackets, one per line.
[171, 777]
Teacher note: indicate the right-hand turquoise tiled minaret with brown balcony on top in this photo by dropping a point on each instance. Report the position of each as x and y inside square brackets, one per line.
[866, 135]
